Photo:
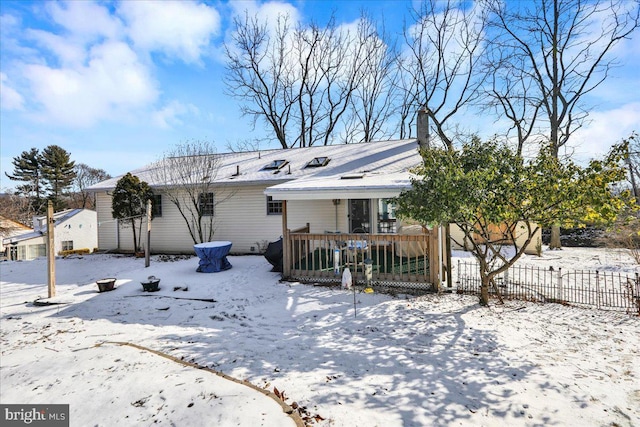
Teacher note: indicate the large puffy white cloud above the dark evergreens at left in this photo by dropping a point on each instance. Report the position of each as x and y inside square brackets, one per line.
[112, 85]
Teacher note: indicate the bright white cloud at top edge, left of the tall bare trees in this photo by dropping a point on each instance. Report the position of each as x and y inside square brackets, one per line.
[180, 30]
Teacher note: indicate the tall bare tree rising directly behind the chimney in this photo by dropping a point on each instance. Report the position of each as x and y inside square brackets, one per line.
[443, 48]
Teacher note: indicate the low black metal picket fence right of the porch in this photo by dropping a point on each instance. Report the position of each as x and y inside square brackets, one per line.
[600, 289]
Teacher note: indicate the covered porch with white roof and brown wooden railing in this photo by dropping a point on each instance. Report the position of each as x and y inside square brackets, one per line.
[350, 223]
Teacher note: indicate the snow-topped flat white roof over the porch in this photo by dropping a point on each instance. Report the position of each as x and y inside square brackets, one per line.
[366, 186]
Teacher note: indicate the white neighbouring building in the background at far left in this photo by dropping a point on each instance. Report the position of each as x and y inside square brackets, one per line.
[73, 229]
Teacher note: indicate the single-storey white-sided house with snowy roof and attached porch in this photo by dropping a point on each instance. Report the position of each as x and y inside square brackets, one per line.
[329, 203]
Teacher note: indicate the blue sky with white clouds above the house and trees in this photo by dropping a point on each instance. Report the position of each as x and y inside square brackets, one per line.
[117, 84]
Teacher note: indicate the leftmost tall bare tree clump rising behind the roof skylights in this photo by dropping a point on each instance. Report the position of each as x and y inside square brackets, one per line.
[297, 81]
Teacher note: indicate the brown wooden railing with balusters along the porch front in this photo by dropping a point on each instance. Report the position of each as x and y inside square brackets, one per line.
[394, 257]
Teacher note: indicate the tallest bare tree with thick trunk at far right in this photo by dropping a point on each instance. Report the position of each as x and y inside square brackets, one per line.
[556, 52]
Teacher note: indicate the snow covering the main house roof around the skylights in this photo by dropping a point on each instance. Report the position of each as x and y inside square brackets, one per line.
[249, 167]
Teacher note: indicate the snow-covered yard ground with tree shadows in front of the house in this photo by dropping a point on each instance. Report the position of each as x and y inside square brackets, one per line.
[399, 361]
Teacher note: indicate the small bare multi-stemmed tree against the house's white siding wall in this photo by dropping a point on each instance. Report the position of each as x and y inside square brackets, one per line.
[186, 175]
